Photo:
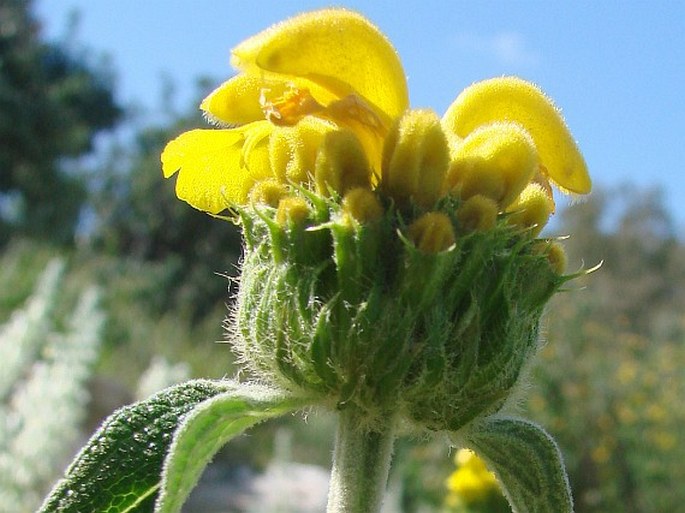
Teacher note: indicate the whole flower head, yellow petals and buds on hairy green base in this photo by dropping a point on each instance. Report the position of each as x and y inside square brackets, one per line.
[391, 256]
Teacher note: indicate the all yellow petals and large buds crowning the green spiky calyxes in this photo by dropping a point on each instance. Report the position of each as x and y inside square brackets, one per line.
[331, 71]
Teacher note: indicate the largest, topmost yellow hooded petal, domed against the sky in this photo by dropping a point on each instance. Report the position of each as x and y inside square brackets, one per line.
[337, 49]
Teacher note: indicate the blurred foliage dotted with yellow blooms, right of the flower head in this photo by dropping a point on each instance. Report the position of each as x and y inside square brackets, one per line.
[610, 381]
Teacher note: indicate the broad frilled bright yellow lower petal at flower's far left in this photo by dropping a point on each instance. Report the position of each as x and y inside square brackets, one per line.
[214, 171]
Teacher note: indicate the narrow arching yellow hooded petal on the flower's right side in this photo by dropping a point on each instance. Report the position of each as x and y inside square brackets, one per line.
[513, 99]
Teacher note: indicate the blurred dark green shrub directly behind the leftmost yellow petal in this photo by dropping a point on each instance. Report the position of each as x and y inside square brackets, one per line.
[138, 216]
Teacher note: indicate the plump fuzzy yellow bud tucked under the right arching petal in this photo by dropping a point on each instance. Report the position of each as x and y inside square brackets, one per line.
[496, 160]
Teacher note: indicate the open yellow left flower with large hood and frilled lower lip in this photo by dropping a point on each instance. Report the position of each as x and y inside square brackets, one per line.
[330, 64]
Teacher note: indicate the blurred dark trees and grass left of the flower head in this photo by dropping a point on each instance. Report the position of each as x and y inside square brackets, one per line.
[162, 265]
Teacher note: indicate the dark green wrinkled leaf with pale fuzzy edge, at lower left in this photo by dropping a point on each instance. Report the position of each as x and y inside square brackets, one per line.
[119, 469]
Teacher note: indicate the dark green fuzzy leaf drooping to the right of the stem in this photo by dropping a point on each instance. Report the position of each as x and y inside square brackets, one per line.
[527, 463]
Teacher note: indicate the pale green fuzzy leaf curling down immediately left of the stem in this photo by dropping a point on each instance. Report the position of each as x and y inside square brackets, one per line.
[208, 428]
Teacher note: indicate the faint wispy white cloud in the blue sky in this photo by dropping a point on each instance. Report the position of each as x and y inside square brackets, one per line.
[506, 48]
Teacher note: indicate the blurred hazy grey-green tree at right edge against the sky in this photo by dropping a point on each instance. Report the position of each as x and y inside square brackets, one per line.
[643, 262]
